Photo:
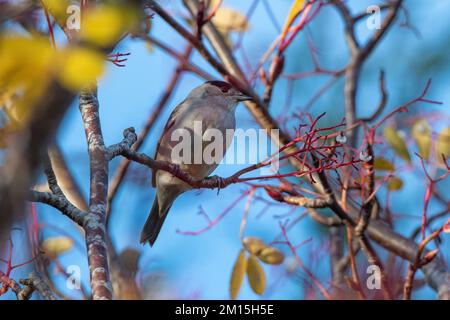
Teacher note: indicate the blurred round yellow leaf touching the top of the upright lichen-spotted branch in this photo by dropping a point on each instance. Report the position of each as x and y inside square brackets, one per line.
[80, 68]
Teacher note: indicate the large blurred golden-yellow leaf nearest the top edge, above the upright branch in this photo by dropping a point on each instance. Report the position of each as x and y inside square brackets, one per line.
[105, 24]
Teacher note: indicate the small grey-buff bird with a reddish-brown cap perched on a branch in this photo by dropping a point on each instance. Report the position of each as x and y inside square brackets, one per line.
[213, 104]
